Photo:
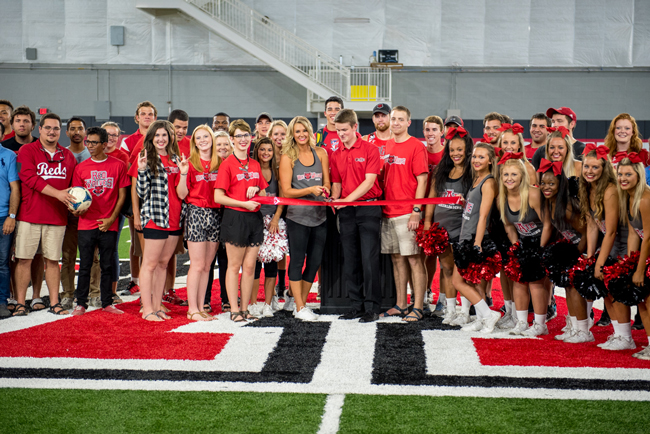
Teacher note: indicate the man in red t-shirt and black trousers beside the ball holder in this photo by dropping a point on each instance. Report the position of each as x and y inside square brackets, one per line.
[107, 181]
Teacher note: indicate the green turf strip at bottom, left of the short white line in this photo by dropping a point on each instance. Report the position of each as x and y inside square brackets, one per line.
[126, 411]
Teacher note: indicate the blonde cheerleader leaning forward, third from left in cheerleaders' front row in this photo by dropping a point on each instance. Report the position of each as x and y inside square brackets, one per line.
[520, 208]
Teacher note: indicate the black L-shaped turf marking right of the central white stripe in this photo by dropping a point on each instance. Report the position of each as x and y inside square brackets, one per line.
[399, 360]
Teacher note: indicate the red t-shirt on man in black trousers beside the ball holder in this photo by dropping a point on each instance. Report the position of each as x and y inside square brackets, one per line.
[103, 179]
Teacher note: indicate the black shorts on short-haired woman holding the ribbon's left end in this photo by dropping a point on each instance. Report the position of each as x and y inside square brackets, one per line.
[242, 229]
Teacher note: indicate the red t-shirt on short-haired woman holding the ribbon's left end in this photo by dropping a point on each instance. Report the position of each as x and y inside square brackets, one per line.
[235, 180]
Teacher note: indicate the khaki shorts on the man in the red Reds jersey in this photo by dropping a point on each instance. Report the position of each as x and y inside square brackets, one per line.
[30, 235]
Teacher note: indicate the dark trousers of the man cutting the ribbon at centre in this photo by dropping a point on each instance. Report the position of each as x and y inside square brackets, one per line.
[360, 229]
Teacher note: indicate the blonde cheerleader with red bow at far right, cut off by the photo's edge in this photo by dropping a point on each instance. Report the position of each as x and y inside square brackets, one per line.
[635, 206]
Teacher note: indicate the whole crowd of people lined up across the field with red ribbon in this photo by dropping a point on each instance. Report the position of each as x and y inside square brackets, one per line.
[555, 211]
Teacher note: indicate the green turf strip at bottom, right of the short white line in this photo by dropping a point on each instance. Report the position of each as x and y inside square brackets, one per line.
[423, 414]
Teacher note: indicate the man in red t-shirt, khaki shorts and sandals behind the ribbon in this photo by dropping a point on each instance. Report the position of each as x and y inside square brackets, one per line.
[406, 170]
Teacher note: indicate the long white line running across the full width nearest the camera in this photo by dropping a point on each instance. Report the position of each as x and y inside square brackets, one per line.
[483, 392]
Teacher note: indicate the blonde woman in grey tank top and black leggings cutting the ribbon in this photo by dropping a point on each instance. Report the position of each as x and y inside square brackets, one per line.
[304, 173]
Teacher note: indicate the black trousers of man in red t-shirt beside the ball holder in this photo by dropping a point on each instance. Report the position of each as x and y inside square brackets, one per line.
[105, 242]
